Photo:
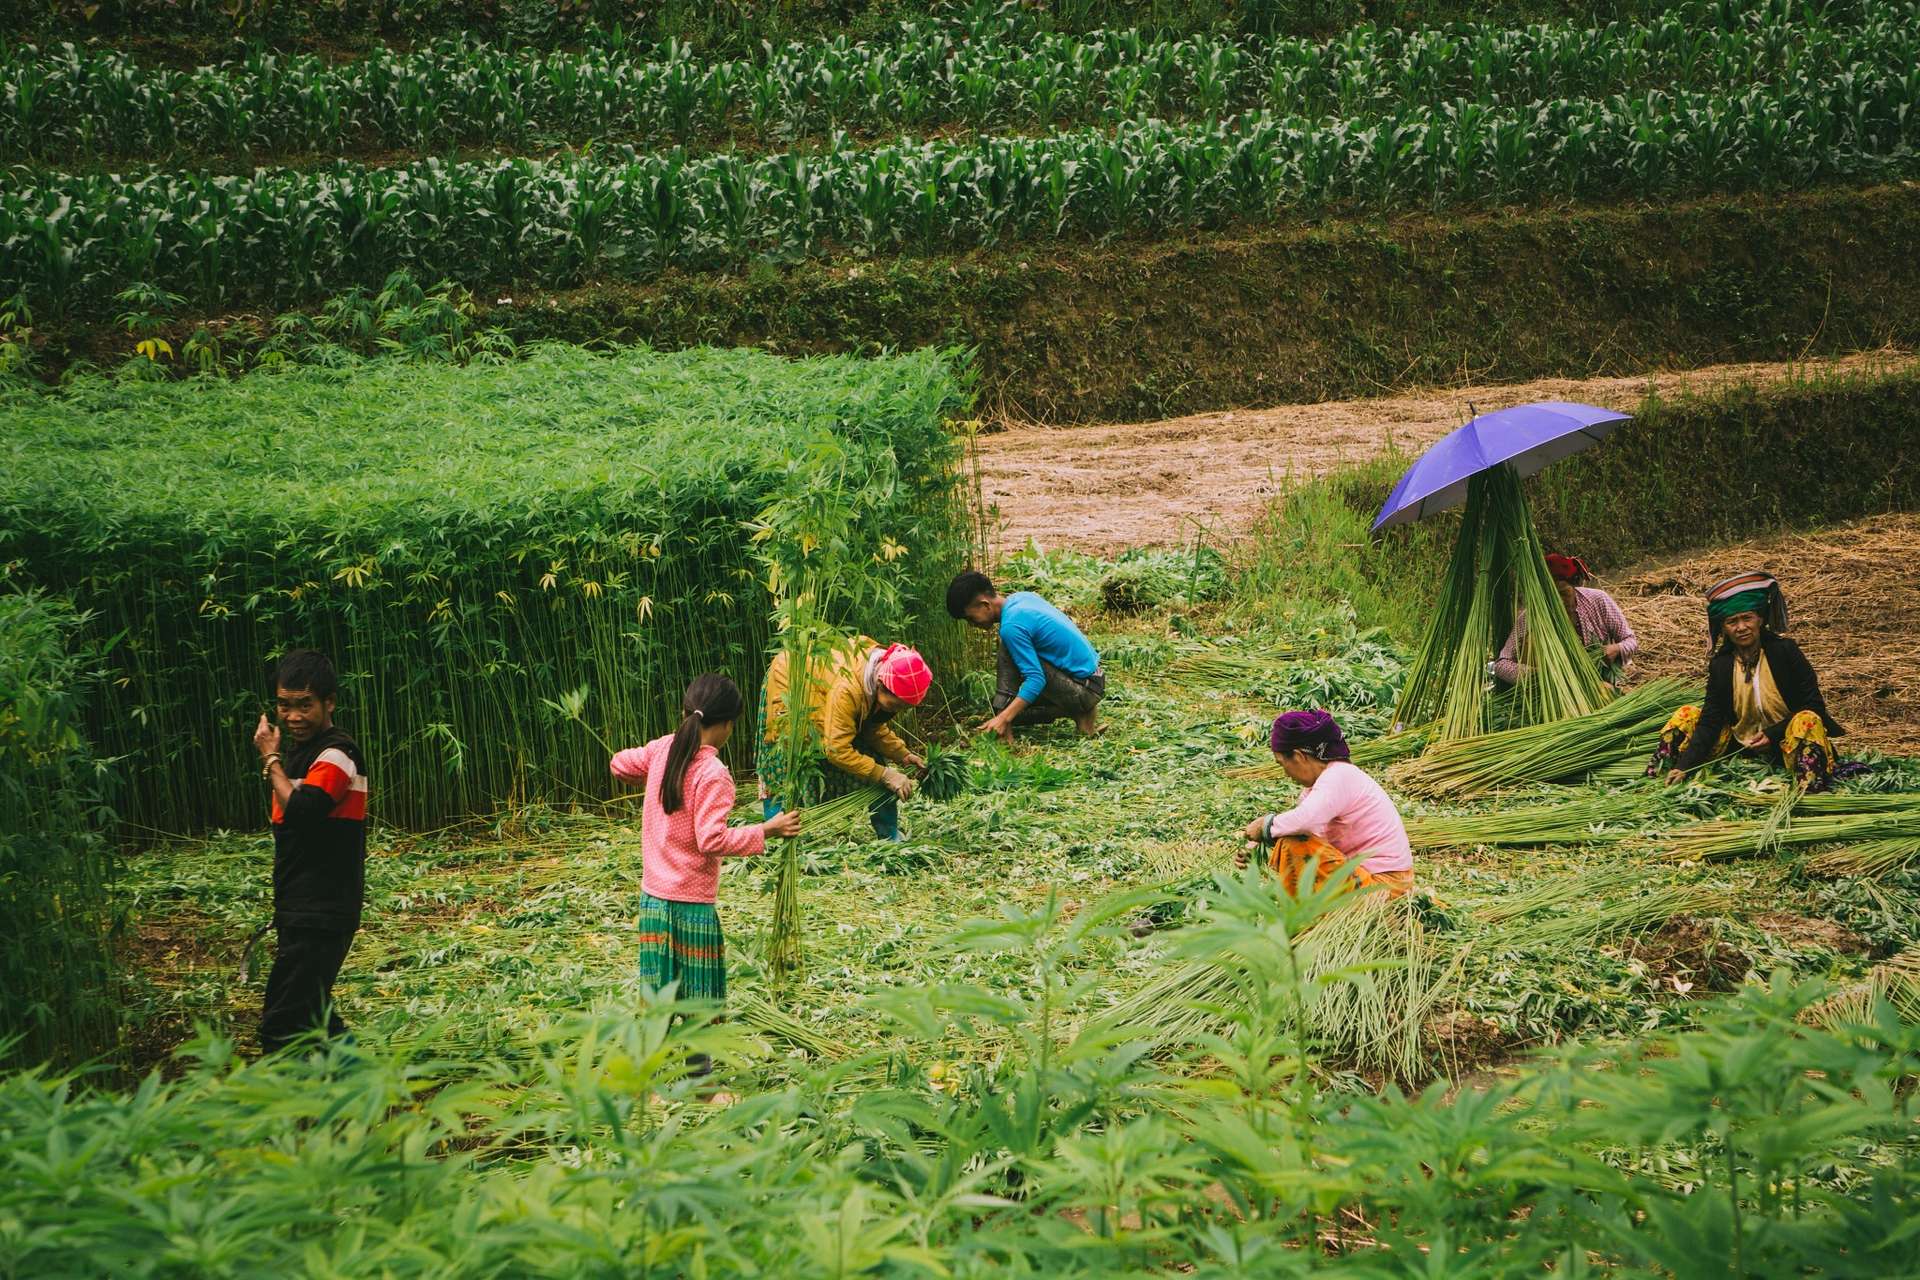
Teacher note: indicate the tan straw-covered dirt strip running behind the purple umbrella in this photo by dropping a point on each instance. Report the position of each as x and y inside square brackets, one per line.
[1107, 488]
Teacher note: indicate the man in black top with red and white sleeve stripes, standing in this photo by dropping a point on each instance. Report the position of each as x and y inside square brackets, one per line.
[320, 849]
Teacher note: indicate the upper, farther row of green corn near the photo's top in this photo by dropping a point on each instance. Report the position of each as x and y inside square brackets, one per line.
[986, 74]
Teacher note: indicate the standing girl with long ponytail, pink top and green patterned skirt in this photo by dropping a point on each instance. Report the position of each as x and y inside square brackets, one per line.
[683, 840]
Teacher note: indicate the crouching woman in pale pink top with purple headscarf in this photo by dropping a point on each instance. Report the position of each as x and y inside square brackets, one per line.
[1343, 815]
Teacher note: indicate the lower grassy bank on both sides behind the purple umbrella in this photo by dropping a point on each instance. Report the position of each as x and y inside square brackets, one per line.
[1685, 473]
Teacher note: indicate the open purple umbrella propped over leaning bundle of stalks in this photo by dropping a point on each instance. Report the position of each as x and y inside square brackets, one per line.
[1525, 437]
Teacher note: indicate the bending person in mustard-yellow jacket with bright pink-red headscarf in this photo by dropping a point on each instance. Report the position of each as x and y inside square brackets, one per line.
[852, 698]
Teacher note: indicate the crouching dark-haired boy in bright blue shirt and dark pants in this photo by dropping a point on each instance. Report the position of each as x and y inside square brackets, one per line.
[1047, 667]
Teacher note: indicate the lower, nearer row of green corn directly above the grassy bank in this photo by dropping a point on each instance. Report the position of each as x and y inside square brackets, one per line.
[70, 243]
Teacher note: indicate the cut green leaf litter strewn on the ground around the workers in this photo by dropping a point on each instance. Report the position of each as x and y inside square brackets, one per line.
[494, 930]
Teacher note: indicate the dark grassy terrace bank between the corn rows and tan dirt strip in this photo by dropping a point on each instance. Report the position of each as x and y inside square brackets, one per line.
[1332, 312]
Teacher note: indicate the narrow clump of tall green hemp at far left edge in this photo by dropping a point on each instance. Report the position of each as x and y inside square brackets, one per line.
[57, 865]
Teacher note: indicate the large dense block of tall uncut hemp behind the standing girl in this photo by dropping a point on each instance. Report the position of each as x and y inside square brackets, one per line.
[491, 556]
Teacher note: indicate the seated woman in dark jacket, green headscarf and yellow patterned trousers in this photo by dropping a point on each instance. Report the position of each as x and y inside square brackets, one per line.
[1762, 694]
